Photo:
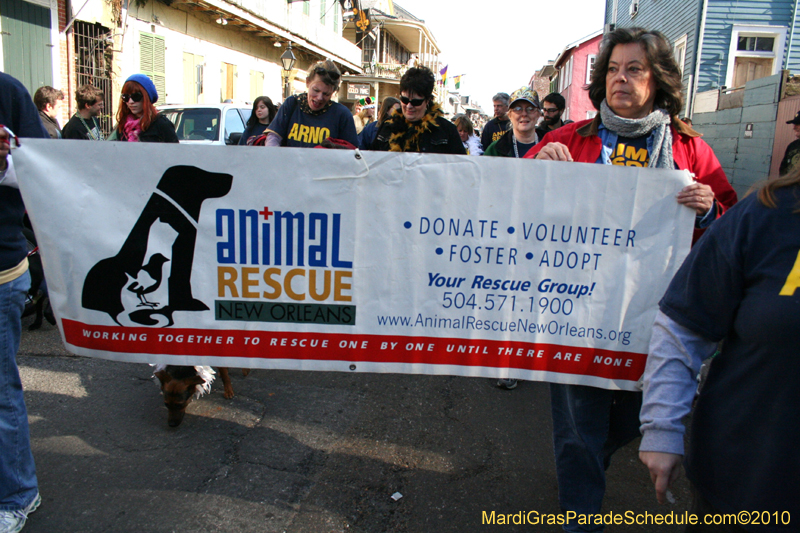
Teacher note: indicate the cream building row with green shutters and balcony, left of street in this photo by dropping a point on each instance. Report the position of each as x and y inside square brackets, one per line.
[196, 51]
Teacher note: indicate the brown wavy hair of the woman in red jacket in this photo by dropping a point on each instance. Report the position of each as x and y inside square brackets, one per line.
[658, 51]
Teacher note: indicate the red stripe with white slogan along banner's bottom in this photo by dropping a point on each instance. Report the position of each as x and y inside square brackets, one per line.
[608, 364]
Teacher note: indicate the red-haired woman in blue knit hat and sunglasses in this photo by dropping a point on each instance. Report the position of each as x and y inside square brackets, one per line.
[137, 118]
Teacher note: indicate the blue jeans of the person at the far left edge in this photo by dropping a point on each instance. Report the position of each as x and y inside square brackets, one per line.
[18, 485]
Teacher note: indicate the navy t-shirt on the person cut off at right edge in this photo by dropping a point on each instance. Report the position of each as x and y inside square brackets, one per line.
[741, 283]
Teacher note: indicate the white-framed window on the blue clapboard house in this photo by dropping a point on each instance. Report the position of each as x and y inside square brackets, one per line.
[755, 52]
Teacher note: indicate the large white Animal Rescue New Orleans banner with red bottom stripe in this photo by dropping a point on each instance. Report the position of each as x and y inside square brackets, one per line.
[335, 260]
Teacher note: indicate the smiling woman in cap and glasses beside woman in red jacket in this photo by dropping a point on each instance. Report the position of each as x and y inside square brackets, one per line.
[524, 111]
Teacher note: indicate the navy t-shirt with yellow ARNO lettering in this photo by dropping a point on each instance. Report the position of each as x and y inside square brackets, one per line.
[303, 130]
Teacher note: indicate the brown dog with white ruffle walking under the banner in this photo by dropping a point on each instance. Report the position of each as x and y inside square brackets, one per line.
[180, 383]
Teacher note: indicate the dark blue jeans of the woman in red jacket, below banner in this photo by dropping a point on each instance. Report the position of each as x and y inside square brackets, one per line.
[589, 425]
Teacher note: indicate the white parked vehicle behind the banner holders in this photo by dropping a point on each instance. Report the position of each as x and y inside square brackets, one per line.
[207, 123]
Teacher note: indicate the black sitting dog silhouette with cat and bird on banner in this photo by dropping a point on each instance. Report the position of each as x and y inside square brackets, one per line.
[150, 277]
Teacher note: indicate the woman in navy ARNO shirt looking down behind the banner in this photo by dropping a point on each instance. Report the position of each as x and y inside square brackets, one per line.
[306, 120]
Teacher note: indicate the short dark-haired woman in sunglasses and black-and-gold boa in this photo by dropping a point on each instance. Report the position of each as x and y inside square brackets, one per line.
[421, 127]
